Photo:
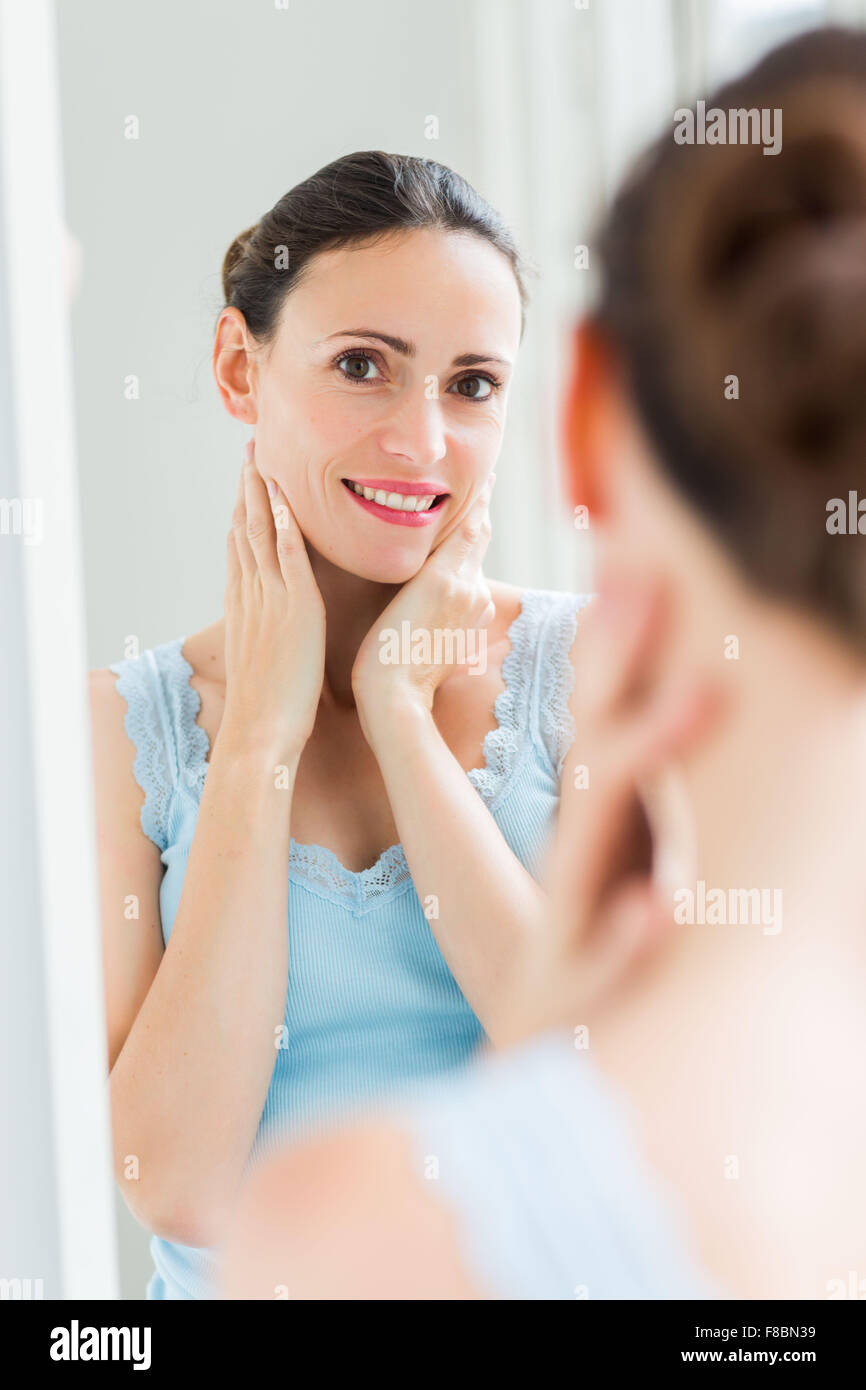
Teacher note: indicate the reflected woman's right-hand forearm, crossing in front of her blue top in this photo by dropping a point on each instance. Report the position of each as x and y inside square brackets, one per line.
[489, 908]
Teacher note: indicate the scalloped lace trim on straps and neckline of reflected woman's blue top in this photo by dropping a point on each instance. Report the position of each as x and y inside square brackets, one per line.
[176, 700]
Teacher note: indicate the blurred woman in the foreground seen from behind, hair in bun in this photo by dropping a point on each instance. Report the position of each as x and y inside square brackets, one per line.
[729, 643]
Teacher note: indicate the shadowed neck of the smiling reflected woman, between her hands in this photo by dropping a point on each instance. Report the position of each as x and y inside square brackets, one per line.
[352, 607]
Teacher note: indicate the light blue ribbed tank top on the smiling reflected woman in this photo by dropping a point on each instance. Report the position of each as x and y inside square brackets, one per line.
[372, 1007]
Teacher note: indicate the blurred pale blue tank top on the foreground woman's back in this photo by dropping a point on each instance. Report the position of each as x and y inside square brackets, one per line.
[537, 1159]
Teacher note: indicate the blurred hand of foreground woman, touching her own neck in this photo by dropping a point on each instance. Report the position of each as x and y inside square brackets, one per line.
[611, 913]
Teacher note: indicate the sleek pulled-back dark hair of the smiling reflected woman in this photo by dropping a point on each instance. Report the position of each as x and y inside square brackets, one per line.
[357, 199]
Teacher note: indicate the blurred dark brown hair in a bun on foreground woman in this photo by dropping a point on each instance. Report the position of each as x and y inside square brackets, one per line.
[718, 262]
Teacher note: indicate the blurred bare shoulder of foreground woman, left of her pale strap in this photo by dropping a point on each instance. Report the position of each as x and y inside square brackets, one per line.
[345, 1217]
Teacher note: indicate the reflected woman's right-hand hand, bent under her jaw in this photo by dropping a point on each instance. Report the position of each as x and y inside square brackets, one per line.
[448, 594]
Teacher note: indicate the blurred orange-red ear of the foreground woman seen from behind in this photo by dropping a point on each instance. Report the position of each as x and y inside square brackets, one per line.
[589, 400]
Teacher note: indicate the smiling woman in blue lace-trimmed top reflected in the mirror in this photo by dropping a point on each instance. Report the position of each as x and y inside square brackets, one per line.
[327, 723]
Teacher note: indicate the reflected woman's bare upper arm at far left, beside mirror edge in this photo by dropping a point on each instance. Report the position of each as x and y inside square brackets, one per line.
[130, 867]
